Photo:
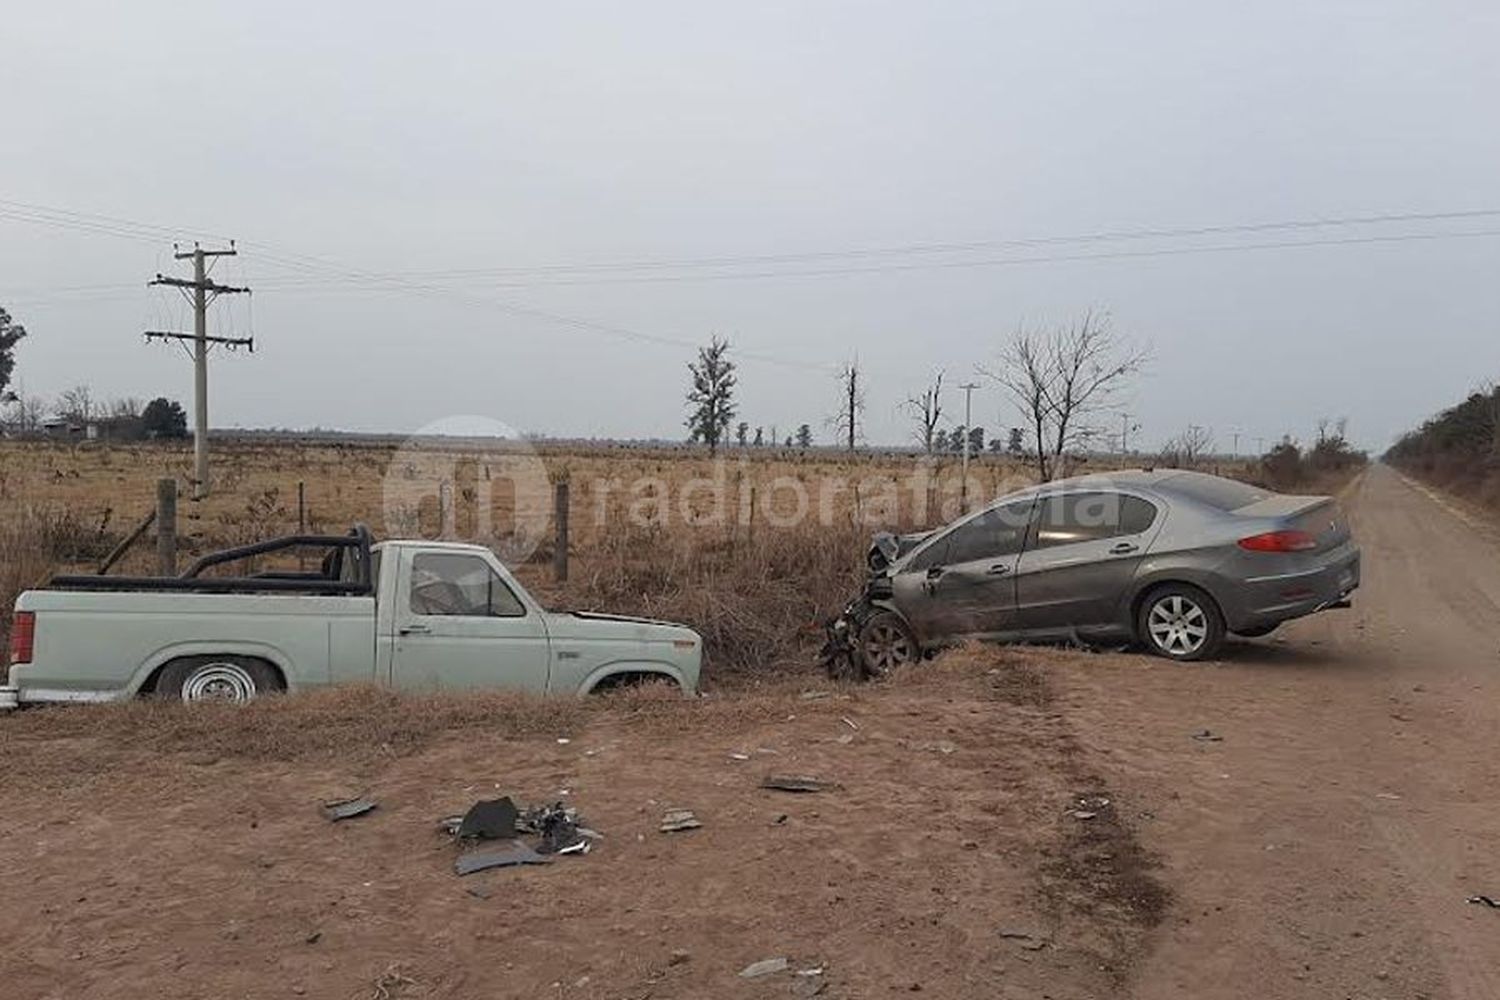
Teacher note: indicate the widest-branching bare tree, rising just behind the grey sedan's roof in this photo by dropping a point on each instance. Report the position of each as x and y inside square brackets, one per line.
[1063, 380]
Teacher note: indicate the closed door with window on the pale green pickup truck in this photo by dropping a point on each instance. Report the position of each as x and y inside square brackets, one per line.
[461, 626]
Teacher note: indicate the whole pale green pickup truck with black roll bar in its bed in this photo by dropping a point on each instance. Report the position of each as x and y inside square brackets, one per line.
[419, 615]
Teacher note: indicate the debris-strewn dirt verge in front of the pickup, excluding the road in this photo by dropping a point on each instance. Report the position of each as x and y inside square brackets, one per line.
[185, 858]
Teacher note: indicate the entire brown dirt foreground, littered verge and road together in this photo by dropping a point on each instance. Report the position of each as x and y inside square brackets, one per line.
[1324, 848]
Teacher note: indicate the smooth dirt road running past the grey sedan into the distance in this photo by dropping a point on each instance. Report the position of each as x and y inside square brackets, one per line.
[1327, 846]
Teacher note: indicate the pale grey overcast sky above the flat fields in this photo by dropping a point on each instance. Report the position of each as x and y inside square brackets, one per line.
[484, 158]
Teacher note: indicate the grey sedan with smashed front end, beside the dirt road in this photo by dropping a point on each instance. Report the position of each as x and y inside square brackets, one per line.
[1171, 560]
